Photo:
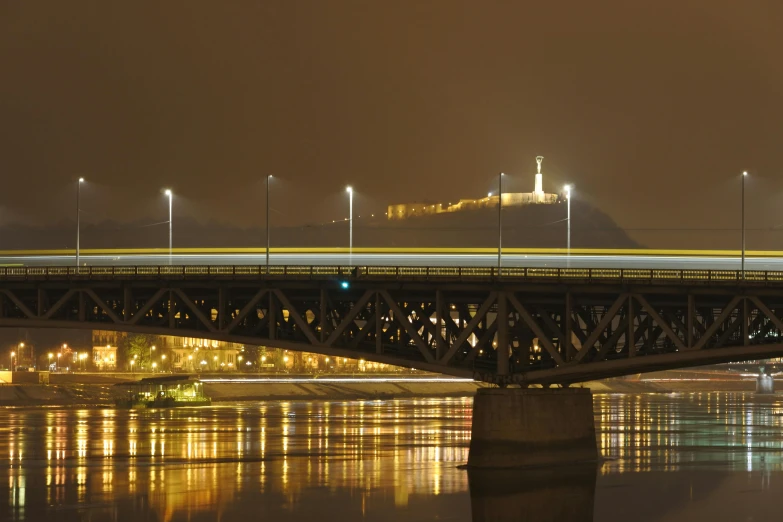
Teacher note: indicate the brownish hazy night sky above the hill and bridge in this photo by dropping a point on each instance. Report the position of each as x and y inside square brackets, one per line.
[651, 108]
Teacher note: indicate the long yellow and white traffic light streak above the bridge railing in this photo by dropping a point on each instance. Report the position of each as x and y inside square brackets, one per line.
[557, 258]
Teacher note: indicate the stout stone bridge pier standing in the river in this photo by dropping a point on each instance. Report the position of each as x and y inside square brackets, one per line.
[515, 427]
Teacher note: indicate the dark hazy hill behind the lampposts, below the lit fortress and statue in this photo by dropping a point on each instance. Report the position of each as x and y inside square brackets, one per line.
[541, 226]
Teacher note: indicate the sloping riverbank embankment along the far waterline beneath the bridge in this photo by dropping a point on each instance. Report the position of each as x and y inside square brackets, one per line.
[91, 390]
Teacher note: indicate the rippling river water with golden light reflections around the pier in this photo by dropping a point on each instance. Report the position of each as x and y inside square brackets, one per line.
[676, 457]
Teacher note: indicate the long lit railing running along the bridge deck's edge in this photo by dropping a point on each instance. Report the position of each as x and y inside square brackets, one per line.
[546, 274]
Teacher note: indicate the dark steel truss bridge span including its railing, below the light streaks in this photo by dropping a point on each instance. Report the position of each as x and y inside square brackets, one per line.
[510, 326]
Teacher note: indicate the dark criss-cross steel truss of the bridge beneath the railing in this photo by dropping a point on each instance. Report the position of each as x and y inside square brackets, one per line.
[543, 333]
